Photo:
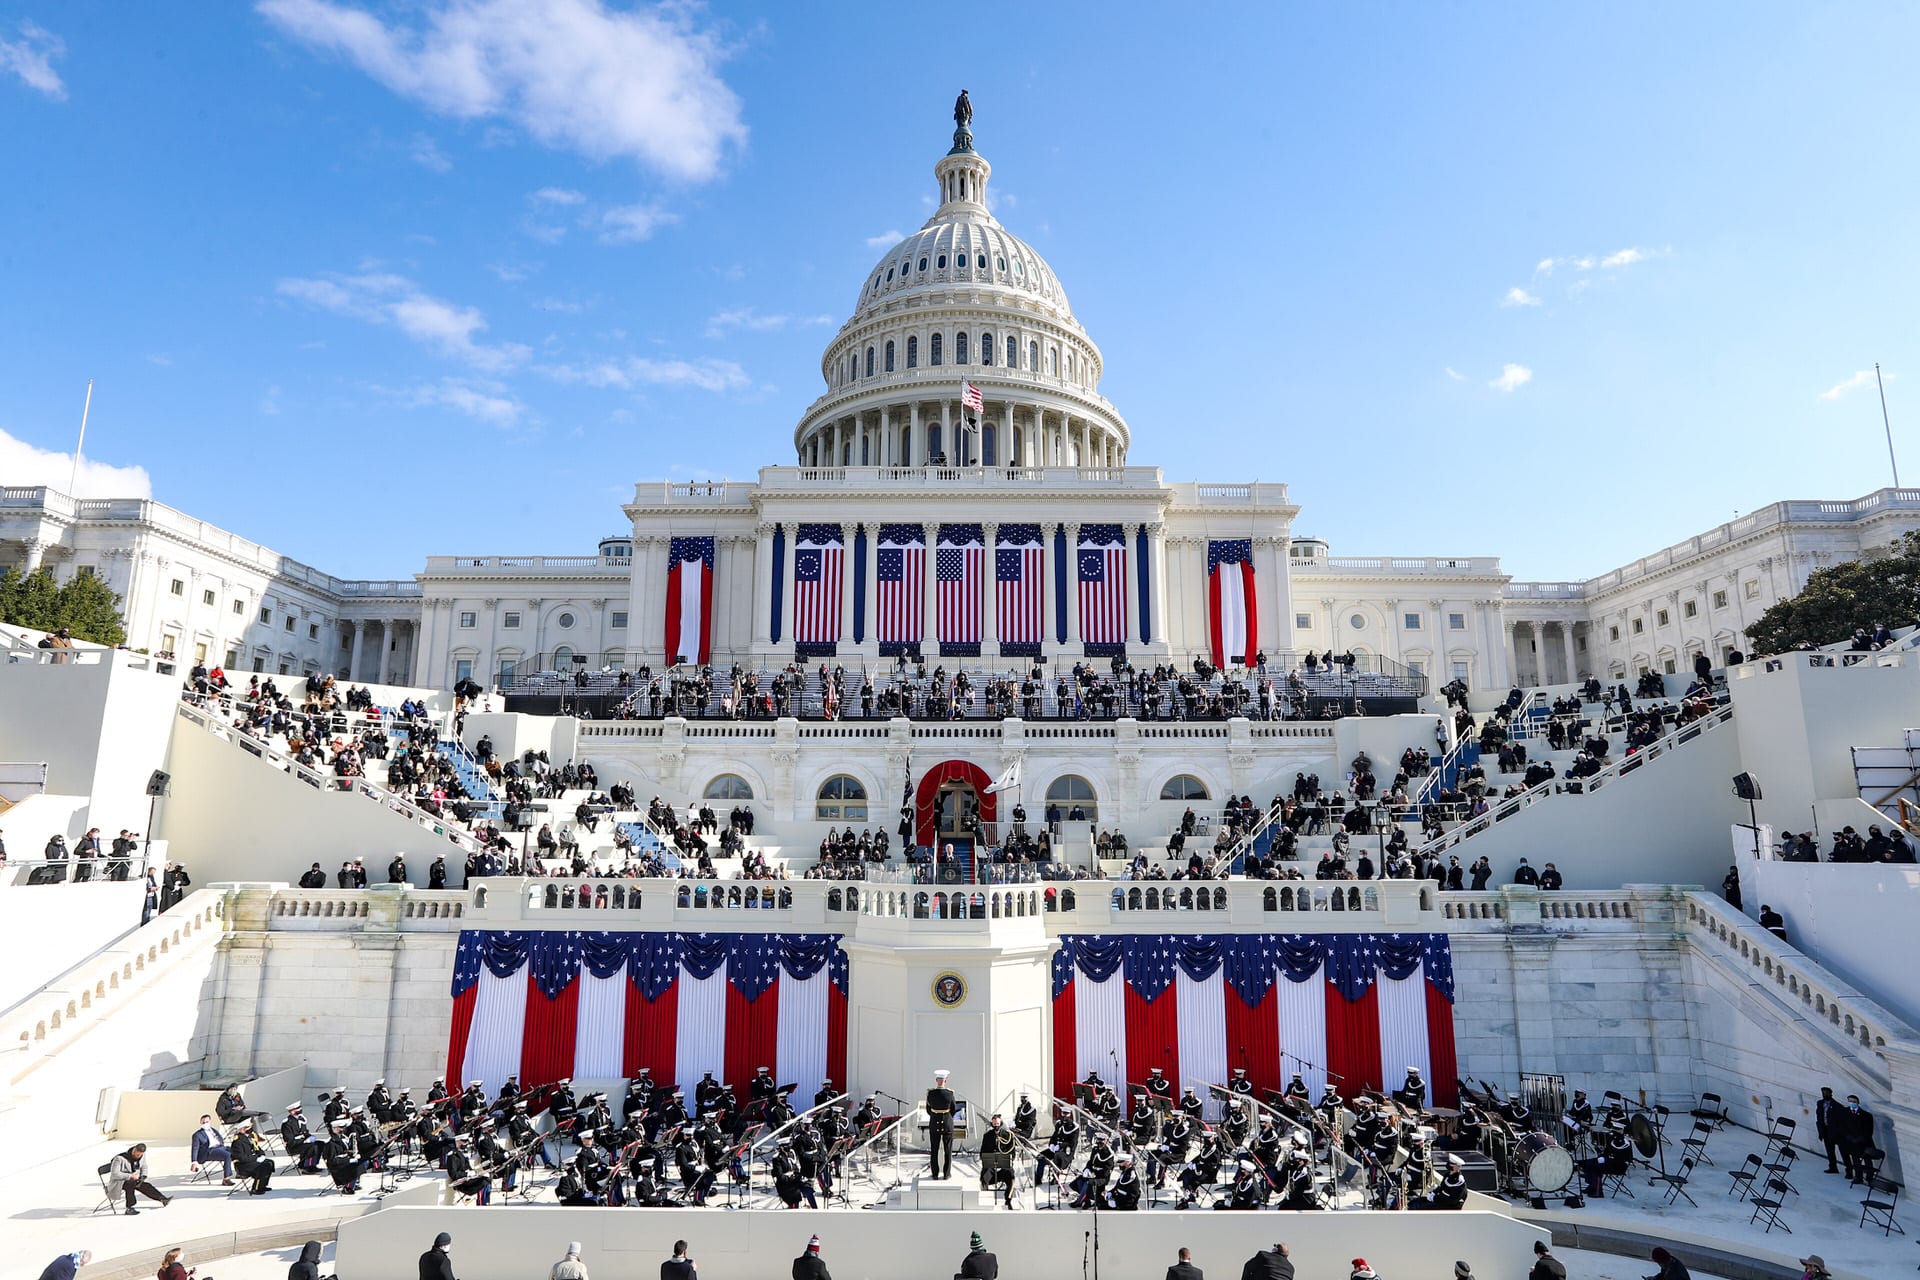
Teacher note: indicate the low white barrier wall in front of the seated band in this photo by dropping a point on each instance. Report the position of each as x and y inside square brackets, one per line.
[514, 1244]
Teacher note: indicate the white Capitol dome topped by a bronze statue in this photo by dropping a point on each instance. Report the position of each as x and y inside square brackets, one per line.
[961, 302]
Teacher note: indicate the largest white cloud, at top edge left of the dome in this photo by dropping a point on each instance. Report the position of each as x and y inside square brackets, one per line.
[573, 74]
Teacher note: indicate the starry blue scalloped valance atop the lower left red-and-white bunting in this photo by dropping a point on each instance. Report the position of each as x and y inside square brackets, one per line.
[652, 960]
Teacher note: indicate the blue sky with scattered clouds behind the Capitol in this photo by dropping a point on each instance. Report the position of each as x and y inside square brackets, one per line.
[377, 281]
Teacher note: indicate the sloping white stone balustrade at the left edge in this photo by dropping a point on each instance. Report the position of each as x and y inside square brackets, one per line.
[41, 1024]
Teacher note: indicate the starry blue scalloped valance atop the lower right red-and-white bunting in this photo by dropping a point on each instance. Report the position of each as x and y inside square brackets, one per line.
[1255, 962]
